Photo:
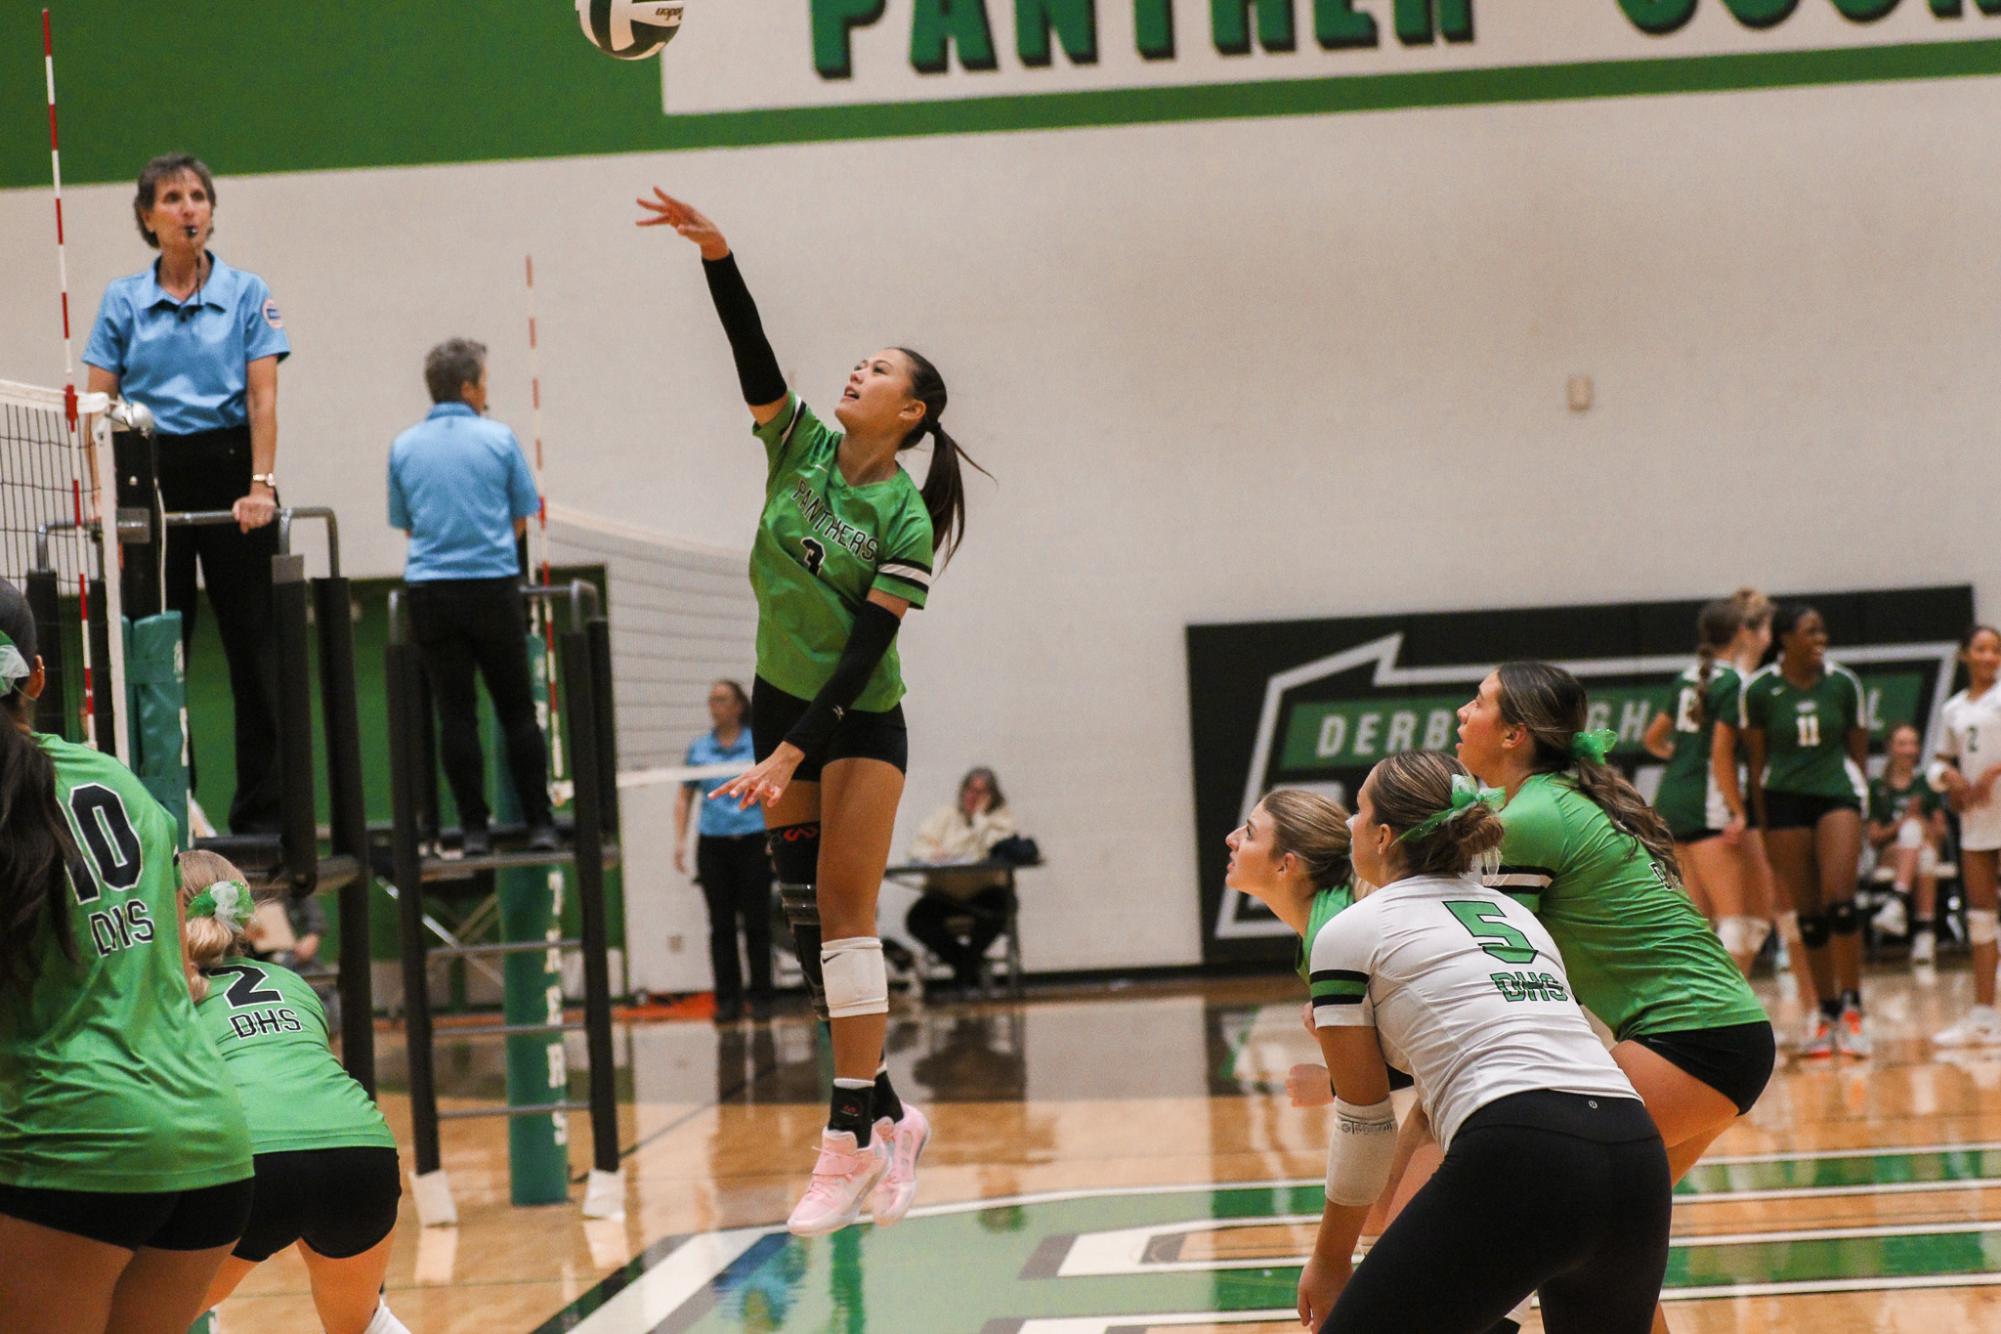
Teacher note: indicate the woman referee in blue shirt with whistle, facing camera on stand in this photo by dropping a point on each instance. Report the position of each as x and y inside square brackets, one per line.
[199, 343]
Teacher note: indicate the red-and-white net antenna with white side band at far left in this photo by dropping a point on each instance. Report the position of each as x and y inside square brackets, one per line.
[87, 415]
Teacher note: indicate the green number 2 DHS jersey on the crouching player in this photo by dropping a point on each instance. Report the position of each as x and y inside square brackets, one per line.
[273, 1037]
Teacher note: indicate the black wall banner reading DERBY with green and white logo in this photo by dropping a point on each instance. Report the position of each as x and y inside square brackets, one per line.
[1318, 703]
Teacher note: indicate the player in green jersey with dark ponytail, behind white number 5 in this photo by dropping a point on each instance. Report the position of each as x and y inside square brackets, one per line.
[1598, 865]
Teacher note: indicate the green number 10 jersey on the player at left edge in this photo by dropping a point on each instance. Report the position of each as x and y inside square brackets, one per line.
[107, 1083]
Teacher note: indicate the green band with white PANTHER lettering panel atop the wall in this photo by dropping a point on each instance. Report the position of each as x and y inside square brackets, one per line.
[281, 89]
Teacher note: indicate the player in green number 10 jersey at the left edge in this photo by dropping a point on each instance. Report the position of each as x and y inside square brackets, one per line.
[125, 1163]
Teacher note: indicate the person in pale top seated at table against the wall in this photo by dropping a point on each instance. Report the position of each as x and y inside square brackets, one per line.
[977, 903]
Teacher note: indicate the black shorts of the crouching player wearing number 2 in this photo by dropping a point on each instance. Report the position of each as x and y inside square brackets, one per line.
[339, 1201]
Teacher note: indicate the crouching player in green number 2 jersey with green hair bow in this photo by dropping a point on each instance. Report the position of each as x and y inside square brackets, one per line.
[327, 1175]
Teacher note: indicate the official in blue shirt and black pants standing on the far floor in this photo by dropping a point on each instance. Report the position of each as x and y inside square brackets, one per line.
[729, 859]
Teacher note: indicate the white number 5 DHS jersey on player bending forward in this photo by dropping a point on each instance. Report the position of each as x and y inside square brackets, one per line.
[1466, 991]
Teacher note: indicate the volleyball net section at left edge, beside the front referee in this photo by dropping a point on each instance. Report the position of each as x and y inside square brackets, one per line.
[51, 549]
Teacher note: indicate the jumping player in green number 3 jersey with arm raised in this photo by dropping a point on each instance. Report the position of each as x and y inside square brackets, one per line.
[845, 547]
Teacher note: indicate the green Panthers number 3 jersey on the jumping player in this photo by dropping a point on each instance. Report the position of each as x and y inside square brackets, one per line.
[819, 549]
